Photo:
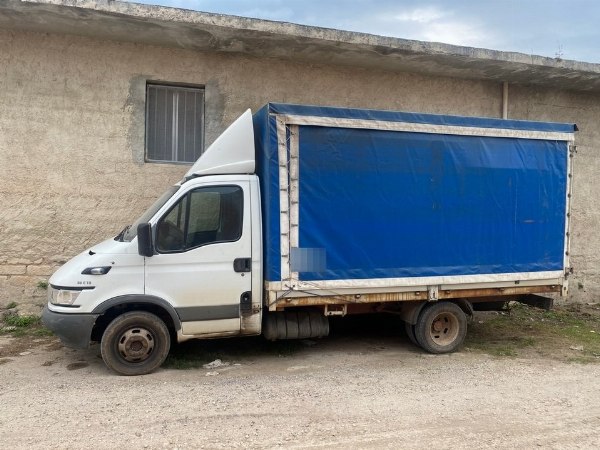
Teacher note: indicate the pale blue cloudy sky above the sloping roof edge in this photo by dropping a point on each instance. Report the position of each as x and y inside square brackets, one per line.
[566, 29]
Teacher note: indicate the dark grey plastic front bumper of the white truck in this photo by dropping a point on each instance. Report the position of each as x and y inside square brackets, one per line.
[74, 330]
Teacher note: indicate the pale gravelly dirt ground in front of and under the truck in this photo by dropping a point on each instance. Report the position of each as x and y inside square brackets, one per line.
[365, 387]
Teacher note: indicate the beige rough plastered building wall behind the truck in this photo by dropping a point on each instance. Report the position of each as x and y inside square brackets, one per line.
[72, 136]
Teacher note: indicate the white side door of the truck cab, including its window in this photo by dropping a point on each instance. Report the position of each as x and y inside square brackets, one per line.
[203, 263]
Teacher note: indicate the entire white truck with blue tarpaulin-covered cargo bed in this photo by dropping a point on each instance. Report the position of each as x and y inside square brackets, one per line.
[299, 213]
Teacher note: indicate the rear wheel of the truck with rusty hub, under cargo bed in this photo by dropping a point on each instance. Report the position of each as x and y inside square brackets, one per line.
[441, 327]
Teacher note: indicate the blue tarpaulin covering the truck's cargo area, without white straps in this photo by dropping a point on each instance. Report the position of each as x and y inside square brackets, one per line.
[389, 204]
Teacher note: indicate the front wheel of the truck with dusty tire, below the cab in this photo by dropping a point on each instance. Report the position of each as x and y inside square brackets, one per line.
[135, 343]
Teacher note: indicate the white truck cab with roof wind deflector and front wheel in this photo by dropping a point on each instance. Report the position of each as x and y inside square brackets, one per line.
[189, 267]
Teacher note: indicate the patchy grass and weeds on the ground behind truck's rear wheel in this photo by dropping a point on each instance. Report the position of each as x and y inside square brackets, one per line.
[524, 329]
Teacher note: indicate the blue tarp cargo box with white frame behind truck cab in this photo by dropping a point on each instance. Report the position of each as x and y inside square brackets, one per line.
[379, 201]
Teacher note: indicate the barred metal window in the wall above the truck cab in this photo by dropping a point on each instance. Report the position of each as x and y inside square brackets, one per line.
[174, 123]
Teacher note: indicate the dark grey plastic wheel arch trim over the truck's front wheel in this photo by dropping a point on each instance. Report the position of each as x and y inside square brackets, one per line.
[114, 307]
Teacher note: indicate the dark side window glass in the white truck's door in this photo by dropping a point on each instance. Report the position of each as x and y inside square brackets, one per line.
[203, 216]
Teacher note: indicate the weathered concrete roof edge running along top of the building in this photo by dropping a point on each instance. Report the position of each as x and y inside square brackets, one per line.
[171, 27]
